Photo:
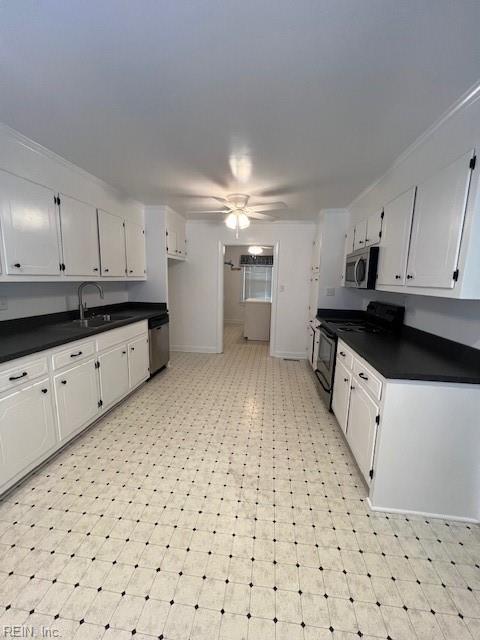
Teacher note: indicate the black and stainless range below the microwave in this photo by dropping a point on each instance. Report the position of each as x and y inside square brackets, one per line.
[379, 318]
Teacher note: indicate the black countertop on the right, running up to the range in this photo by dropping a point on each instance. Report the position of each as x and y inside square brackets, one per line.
[411, 354]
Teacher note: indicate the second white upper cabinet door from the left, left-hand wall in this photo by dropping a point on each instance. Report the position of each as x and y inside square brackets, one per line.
[79, 238]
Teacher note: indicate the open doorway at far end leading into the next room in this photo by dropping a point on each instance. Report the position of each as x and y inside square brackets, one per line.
[247, 295]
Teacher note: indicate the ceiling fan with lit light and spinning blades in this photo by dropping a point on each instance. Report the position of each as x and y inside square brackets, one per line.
[238, 210]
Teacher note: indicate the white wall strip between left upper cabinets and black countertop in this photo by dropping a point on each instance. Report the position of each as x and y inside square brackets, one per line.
[38, 298]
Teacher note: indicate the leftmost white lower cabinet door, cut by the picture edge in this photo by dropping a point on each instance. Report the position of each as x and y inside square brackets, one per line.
[27, 428]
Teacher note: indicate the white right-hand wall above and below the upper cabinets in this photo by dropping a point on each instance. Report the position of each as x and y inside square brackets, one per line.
[452, 136]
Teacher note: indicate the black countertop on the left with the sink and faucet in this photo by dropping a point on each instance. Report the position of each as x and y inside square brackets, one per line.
[24, 336]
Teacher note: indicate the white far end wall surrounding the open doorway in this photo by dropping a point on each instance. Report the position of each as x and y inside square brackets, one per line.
[193, 285]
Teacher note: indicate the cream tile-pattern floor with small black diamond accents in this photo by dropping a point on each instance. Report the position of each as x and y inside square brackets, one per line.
[221, 502]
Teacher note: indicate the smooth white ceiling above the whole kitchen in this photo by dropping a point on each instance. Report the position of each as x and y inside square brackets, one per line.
[313, 98]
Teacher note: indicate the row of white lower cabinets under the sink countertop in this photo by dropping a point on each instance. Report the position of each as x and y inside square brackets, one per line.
[48, 398]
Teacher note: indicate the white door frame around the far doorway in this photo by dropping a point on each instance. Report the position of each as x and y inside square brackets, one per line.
[220, 311]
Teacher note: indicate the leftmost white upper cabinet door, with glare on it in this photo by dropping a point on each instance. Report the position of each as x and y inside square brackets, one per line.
[30, 231]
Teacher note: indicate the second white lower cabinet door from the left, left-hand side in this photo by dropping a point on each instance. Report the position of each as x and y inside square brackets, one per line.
[77, 396]
